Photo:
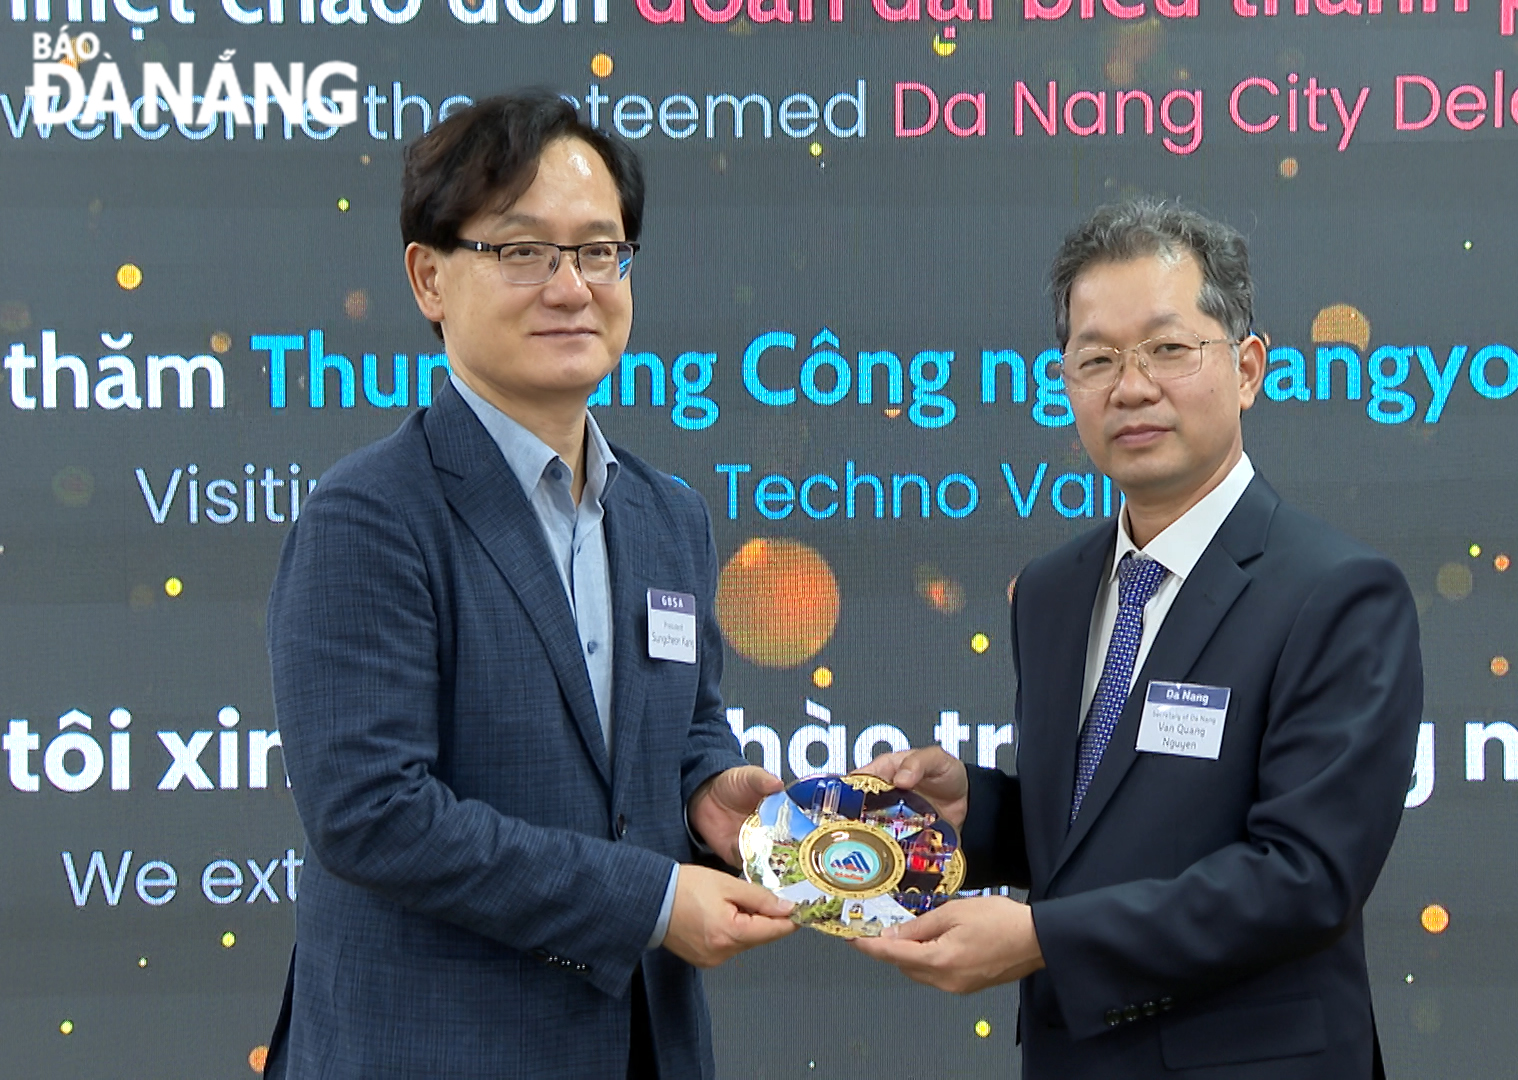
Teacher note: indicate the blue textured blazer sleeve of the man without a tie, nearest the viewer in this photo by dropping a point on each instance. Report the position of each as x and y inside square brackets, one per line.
[359, 698]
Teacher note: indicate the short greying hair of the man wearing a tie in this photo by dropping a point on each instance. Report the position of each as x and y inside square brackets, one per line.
[1139, 229]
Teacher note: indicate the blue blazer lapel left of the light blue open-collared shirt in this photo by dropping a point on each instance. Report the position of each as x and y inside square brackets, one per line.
[485, 494]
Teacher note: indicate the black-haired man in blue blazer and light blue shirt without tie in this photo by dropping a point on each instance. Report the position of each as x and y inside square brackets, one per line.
[497, 665]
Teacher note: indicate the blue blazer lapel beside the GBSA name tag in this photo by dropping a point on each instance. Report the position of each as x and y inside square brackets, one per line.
[629, 552]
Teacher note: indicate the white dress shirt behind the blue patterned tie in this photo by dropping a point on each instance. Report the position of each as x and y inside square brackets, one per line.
[1177, 549]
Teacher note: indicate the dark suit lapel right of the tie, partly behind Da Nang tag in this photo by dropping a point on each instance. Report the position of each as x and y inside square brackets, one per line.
[1200, 607]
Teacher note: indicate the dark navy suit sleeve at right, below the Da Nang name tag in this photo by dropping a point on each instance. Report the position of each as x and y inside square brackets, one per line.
[1337, 754]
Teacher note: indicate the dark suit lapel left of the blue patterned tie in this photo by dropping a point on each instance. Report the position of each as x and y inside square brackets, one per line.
[1048, 741]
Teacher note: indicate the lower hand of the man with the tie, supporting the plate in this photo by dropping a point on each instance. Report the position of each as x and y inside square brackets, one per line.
[963, 947]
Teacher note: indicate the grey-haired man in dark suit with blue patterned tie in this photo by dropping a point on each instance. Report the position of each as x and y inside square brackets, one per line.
[1217, 709]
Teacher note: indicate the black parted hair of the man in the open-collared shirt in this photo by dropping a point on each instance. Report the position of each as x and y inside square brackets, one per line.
[485, 157]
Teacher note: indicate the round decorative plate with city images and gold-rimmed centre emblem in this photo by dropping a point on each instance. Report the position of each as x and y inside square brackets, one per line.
[854, 853]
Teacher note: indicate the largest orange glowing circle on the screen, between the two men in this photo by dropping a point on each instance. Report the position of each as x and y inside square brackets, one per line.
[778, 602]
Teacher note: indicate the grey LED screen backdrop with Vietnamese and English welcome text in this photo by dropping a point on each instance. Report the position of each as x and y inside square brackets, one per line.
[842, 341]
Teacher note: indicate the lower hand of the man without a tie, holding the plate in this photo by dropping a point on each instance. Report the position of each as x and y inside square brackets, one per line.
[717, 917]
